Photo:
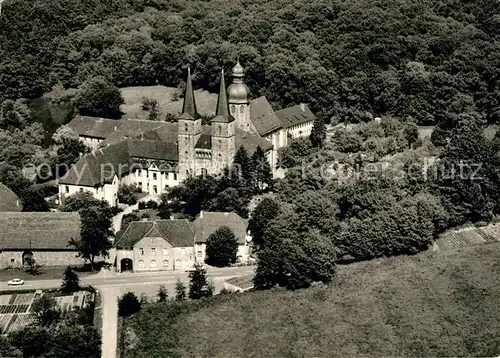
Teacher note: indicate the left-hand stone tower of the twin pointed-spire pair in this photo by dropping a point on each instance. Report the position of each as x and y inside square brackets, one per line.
[189, 131]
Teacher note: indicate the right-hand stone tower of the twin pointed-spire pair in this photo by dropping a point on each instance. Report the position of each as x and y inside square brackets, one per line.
[223, 141]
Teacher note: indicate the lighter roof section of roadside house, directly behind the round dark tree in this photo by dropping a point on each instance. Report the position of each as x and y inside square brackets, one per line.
[208, 222]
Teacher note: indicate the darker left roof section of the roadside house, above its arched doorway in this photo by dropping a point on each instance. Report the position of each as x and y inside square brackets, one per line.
[179, 233]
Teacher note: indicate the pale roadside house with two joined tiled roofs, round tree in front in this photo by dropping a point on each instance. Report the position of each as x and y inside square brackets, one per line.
[174, 244]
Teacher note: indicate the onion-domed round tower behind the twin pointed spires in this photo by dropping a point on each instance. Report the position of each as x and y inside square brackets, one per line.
[238, 94]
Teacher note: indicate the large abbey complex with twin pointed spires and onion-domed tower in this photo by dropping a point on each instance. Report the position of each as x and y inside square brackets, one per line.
[157, 155]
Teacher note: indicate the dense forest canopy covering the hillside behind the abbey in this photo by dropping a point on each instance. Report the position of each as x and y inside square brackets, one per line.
[428, 60]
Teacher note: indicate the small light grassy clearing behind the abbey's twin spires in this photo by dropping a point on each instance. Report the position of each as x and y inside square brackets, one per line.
[132, 109]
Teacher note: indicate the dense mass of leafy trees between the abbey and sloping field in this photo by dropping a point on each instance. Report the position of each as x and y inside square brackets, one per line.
[389, 194]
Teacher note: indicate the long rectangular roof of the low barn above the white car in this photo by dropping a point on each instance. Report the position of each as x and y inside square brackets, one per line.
[38, 231]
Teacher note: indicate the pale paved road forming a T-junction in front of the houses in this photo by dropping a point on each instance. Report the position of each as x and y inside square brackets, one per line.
[112, 285]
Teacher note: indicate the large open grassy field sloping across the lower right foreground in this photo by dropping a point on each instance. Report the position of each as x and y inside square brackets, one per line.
[427, 305]
